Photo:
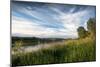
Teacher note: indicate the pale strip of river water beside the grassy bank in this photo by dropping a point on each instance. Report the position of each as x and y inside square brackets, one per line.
[38, 47]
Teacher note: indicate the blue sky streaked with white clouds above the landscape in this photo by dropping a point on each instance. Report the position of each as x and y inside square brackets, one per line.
[49, 20]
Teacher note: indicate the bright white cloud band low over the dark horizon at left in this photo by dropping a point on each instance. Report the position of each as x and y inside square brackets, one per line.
[25, 27]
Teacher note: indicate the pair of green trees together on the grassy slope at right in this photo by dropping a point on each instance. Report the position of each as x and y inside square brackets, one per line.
[91, 26]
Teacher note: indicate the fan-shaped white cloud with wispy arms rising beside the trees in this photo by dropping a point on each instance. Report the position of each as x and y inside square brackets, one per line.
[71, 21]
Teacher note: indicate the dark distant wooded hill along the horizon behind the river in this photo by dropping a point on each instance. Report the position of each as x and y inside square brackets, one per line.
[34, 40]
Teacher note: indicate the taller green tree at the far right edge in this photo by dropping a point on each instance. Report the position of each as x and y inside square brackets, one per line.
[91, 25]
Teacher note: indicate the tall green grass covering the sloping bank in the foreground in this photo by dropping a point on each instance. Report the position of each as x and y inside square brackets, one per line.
[79, 50]
